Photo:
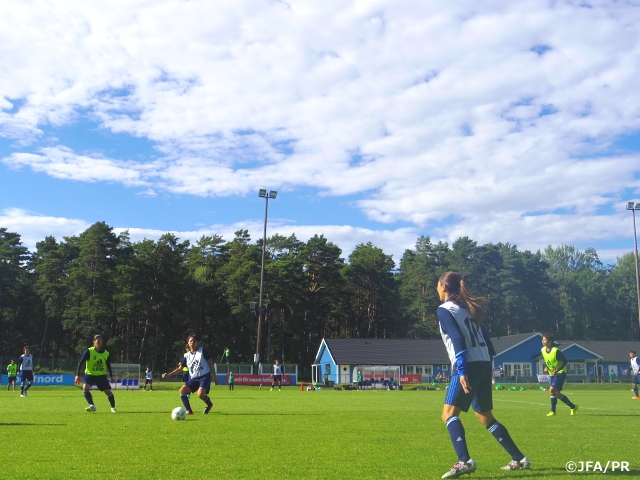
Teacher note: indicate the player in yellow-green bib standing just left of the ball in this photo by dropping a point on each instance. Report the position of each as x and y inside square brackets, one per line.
[96, 364]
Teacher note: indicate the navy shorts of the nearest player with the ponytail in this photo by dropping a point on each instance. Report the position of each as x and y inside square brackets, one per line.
[480, 395]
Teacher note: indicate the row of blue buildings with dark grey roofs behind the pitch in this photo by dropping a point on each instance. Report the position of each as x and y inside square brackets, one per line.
[517, 357]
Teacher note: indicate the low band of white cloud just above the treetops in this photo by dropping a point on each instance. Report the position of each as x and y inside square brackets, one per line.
[531, 233]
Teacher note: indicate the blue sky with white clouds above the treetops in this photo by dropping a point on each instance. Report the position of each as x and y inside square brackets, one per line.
[375, 120]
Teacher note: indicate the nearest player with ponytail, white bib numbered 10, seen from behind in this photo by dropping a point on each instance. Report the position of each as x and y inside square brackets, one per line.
[470, 351]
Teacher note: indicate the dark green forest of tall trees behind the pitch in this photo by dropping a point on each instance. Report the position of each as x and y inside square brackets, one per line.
[145, 297]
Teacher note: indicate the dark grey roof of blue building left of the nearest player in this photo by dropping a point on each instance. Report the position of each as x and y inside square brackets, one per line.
[385, 351]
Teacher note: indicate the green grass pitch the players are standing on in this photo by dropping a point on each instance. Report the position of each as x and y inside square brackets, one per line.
[254, 433]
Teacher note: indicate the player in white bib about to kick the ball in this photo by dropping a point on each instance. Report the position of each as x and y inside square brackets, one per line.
[201, 370]
